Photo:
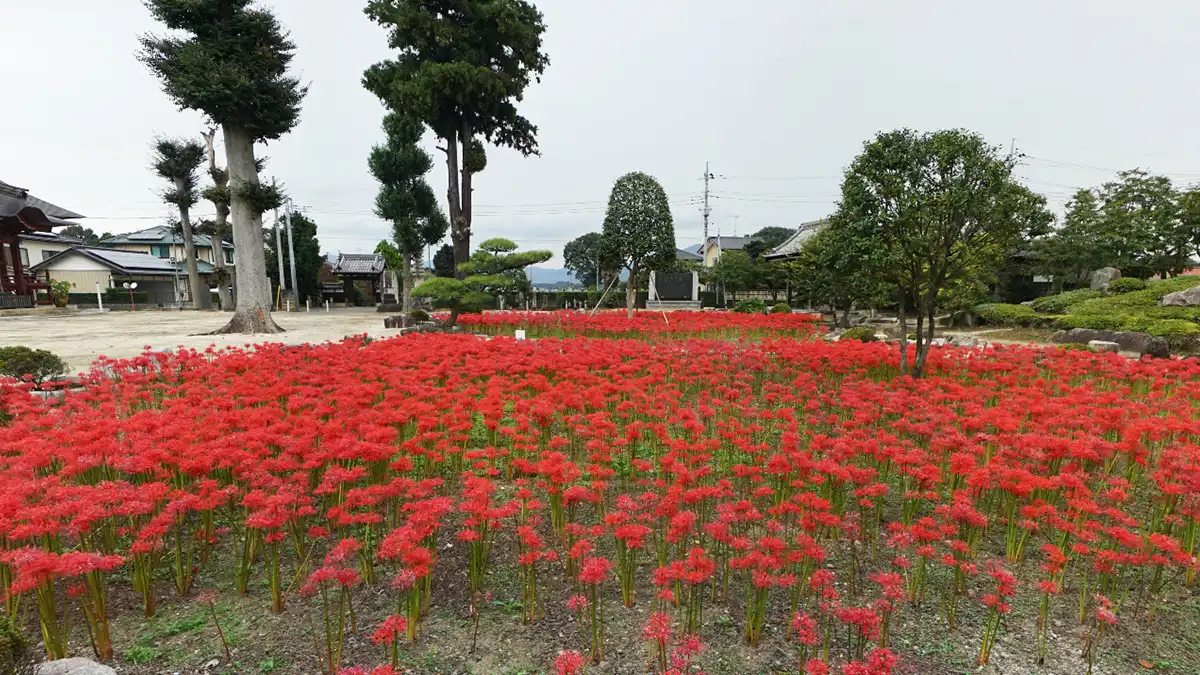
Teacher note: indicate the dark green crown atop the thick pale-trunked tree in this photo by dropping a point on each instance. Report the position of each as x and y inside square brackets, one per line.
[229, 61]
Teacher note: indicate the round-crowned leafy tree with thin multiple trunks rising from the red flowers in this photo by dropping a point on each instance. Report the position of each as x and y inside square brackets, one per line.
[945, 207]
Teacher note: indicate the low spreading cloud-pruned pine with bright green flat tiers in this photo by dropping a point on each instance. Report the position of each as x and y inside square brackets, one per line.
[496, 268]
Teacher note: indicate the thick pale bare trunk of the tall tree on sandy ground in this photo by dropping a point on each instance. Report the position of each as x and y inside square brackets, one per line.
[254, 314]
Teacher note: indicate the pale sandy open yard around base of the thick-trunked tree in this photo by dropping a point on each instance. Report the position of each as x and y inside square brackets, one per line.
[81, 338]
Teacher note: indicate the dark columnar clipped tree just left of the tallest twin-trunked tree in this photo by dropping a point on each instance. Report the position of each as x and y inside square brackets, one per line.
[405, 199]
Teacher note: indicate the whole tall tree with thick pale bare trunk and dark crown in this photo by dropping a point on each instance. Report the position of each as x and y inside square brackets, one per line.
[231, 63]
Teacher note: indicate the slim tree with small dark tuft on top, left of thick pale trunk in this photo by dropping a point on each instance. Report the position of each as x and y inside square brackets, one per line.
[176, 160]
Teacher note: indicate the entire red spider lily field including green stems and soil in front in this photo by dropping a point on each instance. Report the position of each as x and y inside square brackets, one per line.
[691, 494]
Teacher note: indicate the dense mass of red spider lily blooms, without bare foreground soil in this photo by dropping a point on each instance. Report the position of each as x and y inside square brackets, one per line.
[770, 461]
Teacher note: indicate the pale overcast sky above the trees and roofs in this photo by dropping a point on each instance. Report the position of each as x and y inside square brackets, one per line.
[779, 95]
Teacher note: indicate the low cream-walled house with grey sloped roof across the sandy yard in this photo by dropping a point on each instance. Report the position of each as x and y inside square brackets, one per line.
[99, 268]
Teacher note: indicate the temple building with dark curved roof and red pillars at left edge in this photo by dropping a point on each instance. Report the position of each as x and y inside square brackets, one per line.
[23, 216]
